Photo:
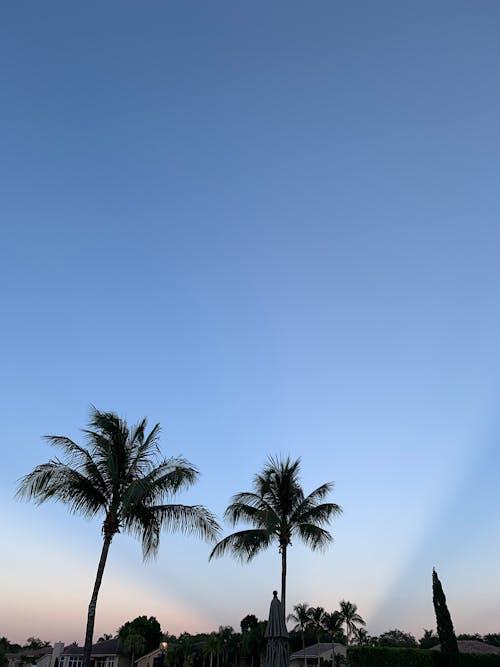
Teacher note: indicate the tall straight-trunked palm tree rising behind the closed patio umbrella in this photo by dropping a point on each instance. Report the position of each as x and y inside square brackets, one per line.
[278, 510]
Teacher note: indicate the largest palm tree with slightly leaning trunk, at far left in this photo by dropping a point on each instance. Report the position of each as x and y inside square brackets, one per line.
[121, 476]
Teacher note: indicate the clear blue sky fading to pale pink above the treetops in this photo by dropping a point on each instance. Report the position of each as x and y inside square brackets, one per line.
[273, 228]
